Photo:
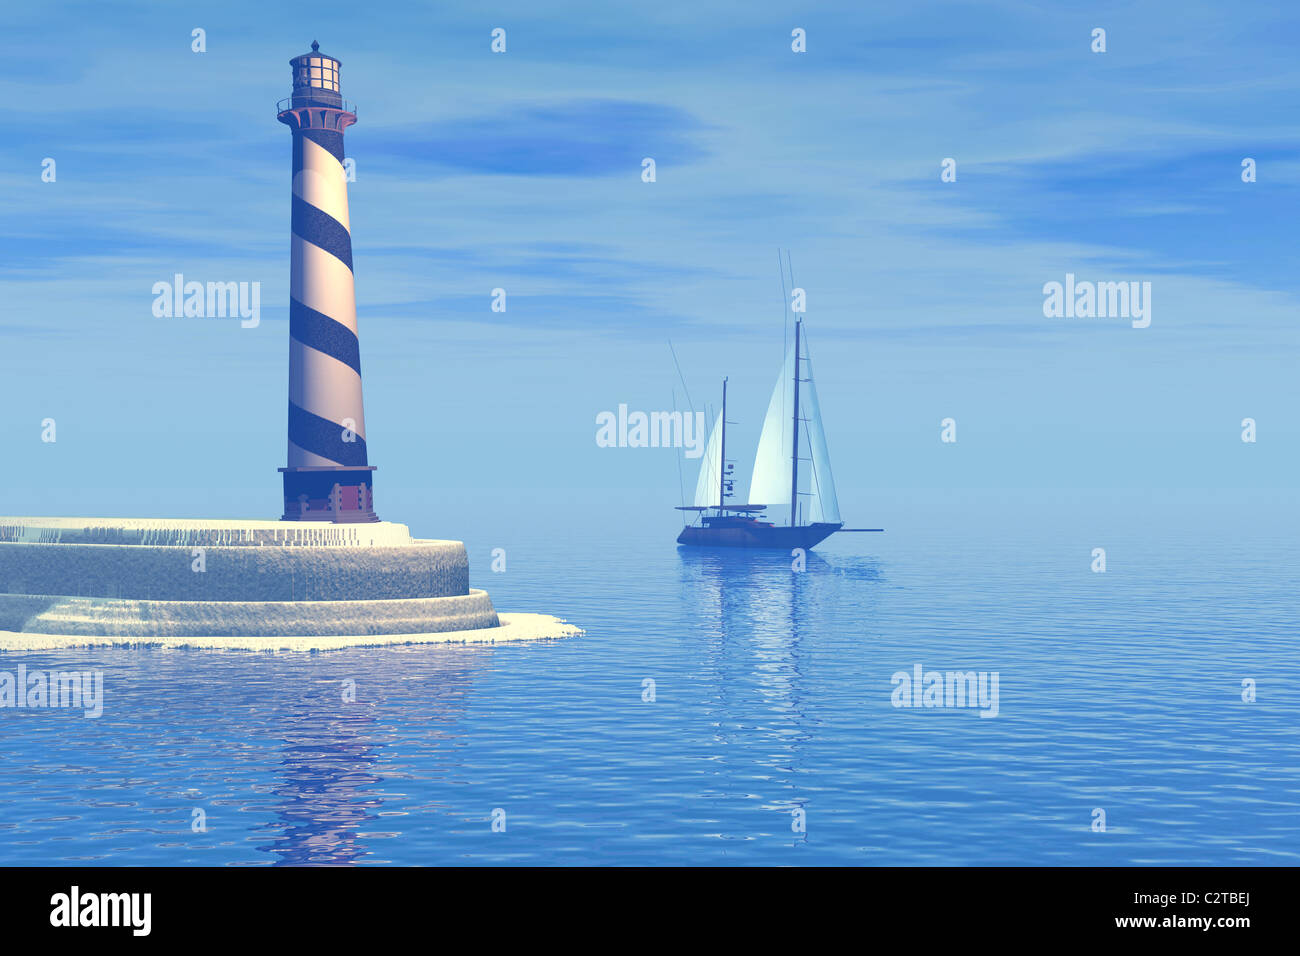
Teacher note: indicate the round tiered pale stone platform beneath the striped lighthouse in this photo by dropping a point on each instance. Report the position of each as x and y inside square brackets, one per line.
[304, 586]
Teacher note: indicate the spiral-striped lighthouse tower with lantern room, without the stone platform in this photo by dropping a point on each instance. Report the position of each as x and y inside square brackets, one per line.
[330, 478]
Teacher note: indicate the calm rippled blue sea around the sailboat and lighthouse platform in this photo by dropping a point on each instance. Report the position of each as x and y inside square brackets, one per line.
[731, 708]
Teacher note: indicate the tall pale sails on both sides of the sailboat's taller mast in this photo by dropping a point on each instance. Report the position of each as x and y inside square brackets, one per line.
[773, 465]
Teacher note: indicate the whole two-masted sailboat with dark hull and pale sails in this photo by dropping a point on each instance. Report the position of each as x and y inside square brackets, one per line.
[792, 435]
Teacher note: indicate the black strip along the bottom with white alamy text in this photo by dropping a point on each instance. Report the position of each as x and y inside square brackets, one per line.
[1224, 907]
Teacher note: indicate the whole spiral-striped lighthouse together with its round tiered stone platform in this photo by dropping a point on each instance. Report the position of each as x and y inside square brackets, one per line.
[330, 574]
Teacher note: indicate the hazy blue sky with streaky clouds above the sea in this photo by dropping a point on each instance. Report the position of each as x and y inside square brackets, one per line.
[523, 171]
